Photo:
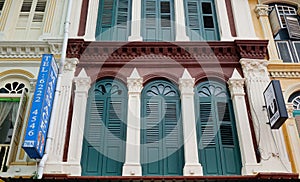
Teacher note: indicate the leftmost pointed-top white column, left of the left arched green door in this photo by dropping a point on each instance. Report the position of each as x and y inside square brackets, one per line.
[82, 83]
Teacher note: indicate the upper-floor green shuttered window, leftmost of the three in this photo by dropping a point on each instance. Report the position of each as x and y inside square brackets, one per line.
[113, 23]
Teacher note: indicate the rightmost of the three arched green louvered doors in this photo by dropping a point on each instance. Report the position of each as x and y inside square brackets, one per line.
[216, 133]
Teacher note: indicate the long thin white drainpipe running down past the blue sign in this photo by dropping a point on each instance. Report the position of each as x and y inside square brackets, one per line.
[41, 165]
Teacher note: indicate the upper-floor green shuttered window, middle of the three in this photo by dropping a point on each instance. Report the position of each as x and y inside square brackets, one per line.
[158, 20]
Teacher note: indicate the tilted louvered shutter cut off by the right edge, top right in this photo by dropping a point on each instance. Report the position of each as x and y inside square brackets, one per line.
[292, 23]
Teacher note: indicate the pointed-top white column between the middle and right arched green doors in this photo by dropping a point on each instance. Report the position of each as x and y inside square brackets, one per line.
[192, 166]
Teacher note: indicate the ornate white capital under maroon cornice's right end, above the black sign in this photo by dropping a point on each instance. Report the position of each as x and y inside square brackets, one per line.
[255, 68]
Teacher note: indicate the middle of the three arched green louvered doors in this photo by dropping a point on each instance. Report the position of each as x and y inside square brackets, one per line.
[161, 130]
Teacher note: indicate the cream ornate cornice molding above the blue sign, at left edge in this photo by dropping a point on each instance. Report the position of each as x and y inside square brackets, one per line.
[29, 49]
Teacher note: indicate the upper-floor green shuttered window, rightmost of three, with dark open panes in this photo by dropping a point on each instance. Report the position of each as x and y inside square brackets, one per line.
[201, 20]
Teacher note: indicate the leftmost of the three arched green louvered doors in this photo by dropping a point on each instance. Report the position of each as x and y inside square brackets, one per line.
[103, 152]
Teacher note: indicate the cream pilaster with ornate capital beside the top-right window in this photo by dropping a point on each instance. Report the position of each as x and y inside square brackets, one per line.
[263, 16]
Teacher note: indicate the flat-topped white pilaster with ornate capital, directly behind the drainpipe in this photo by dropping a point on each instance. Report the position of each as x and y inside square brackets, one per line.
[53, 164]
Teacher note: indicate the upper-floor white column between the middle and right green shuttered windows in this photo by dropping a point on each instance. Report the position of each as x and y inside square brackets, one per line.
[180, 21]
